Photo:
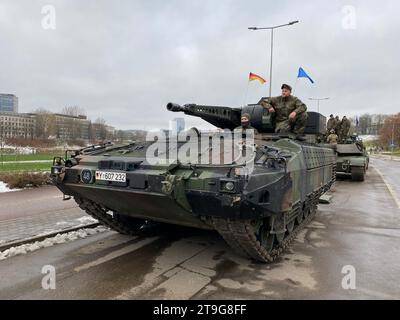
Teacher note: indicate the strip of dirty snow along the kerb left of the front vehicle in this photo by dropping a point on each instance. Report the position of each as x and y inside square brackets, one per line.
[58, 239]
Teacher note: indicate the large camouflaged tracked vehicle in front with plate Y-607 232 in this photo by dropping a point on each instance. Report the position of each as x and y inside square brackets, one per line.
[263, 192]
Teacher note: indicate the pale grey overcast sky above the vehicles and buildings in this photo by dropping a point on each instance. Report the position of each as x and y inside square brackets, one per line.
[124, 60]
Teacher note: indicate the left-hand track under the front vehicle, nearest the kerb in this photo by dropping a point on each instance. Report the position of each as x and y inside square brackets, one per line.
[98, 212]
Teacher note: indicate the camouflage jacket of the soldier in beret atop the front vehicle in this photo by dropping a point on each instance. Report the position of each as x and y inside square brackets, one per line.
[284, 106]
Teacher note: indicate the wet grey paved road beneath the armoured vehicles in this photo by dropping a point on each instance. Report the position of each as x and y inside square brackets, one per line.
[361, 228]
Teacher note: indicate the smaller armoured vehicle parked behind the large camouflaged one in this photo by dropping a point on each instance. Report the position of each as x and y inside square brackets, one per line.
[352, 159]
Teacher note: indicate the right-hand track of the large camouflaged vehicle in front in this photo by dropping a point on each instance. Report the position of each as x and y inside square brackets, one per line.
[239, 234]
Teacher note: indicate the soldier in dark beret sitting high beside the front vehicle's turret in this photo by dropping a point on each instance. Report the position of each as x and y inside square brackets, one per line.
[291, 115]
